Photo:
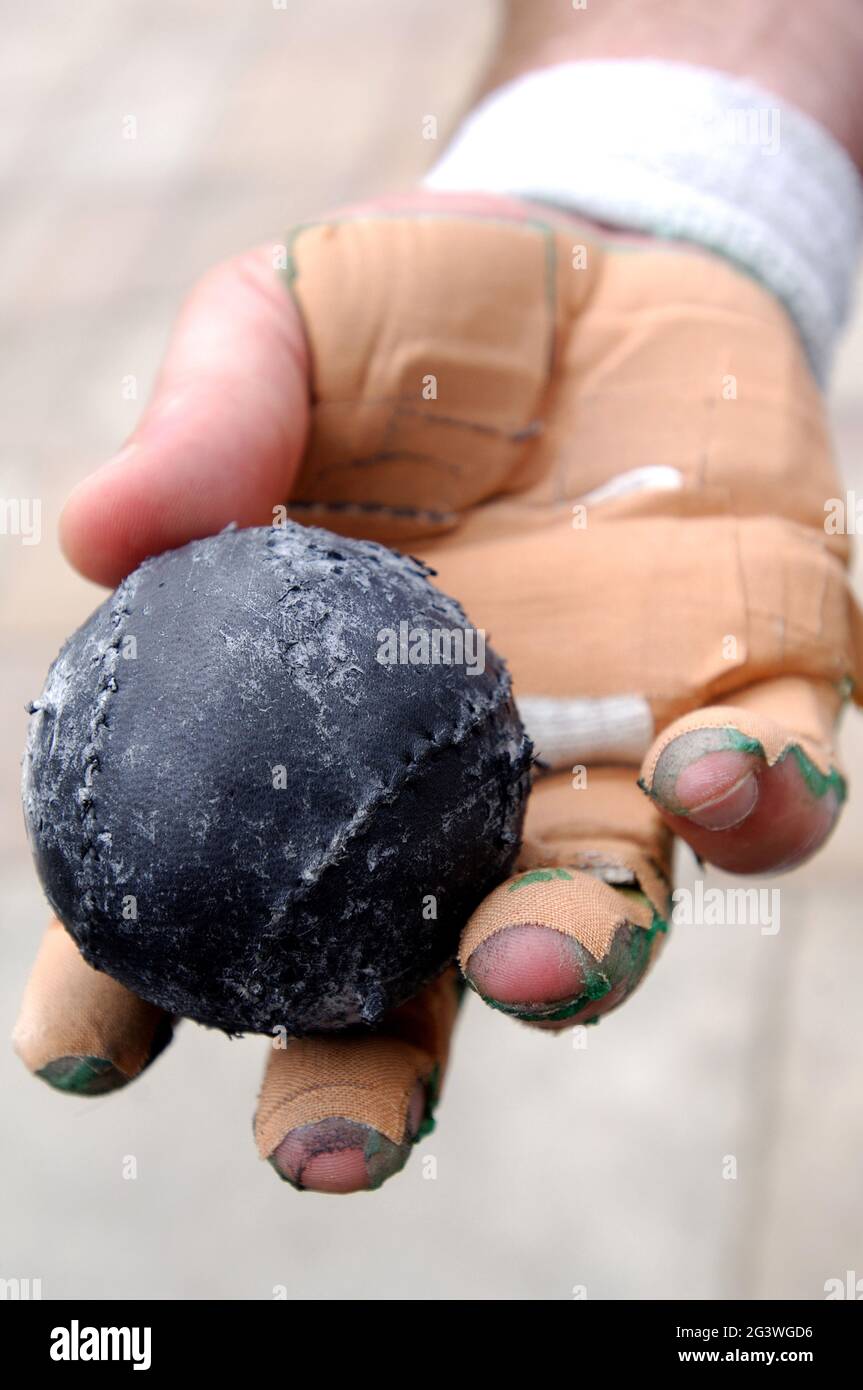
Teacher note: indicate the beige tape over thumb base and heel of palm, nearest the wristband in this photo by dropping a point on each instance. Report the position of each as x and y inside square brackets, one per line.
[657, 361]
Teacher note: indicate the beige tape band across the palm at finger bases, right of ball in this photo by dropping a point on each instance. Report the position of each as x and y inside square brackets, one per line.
[691, 612]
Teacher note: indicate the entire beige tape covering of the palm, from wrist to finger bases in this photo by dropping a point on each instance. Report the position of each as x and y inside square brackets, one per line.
[562, 366]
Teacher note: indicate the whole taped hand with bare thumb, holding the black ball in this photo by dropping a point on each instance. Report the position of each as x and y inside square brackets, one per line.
[612, 519]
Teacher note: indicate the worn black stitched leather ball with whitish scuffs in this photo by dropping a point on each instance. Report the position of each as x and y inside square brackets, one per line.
[269, 780]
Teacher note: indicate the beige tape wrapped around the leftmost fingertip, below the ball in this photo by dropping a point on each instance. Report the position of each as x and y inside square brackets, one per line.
[70, 1010]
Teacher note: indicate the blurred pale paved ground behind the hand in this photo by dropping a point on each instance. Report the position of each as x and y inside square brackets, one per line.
[558, 1168]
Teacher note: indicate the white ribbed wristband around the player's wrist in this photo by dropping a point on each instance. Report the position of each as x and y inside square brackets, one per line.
[687, 154]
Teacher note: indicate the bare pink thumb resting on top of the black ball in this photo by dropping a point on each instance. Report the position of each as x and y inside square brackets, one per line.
[222, 439]
